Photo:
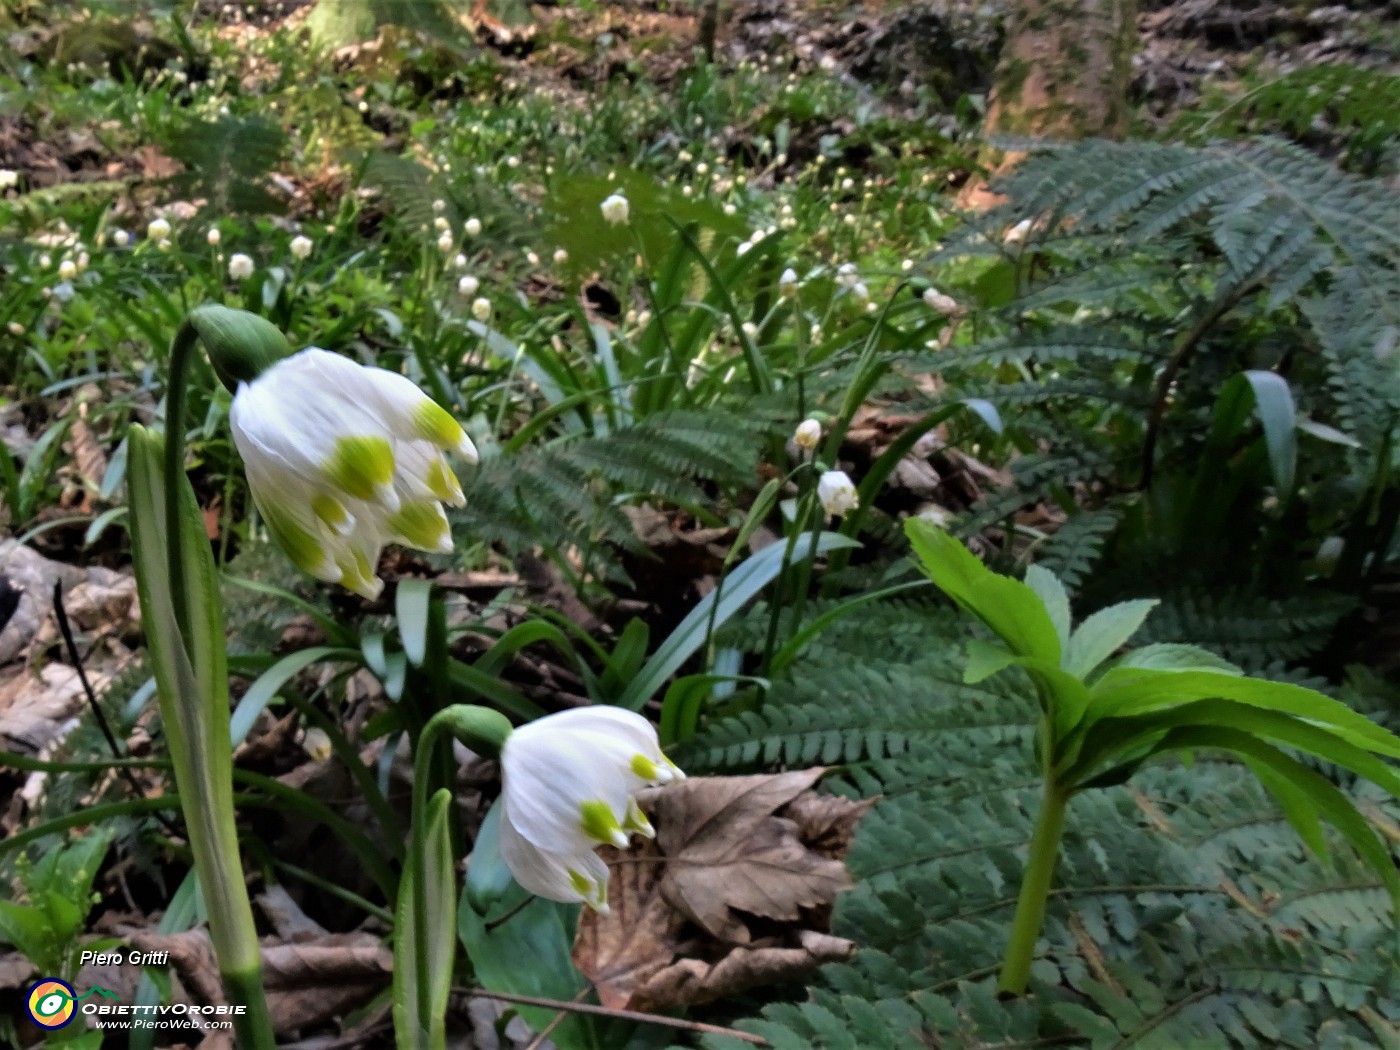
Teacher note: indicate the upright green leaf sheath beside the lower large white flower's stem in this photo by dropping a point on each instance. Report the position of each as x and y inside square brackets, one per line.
[412, 1027]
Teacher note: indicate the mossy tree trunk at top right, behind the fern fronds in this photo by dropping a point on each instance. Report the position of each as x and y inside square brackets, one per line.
[1063, 73]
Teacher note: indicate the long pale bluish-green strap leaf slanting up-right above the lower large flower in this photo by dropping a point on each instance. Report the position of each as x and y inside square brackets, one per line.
[733, 594]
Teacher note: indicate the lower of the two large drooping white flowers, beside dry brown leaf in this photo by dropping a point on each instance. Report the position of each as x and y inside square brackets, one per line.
[569, 785]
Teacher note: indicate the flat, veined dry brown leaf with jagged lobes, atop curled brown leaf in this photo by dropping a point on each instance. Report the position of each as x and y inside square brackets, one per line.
[727, 852]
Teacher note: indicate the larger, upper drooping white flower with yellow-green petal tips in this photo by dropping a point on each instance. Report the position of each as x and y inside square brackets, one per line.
[342, 460]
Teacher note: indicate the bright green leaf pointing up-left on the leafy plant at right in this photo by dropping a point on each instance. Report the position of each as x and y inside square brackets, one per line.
[1006, 605]
